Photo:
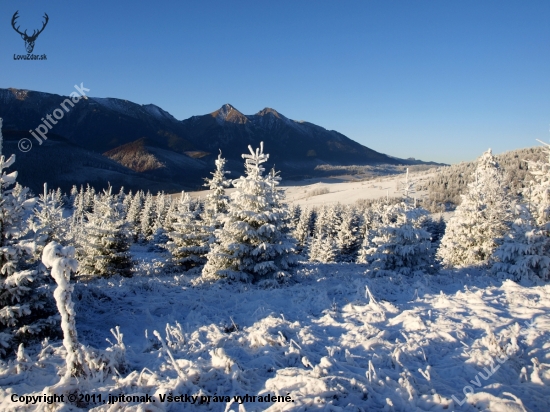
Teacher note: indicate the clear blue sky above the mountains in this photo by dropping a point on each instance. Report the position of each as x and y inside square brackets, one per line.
[435, 80]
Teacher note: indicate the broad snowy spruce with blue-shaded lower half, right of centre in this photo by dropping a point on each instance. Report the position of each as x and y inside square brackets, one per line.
[400, 243]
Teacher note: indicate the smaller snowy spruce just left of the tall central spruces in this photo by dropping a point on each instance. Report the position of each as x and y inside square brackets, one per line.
[189, 240]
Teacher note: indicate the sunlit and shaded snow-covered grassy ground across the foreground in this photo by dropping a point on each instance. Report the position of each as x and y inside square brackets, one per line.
[330, 338]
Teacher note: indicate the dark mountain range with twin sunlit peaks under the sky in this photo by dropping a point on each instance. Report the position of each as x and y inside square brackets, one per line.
[108, 140]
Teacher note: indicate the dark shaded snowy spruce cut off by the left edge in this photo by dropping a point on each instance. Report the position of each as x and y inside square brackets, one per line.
[26, 307]
